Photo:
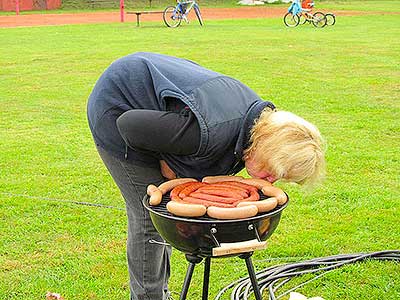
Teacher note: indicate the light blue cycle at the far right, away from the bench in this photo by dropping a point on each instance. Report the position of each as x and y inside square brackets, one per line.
[297, 15]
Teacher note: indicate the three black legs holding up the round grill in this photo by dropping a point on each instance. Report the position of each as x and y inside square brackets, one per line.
[193, 260]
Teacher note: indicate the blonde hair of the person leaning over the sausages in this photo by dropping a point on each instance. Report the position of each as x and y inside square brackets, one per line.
[290, 147]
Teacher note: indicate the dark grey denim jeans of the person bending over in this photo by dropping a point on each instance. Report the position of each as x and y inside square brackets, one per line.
[148, 263]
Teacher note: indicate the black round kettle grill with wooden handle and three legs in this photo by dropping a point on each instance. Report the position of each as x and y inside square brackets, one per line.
[205, 237]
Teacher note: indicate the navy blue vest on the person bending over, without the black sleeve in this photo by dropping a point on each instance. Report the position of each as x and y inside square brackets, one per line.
[224, 107]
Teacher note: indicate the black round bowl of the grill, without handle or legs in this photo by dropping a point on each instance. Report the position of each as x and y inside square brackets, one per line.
[198, 236]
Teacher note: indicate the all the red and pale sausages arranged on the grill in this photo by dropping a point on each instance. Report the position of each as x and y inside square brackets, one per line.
[220, 197]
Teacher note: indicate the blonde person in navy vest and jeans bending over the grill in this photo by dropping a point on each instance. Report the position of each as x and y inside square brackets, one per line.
[155, 117]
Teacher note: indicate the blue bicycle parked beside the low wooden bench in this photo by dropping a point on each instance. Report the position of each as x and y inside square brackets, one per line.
[173, 15]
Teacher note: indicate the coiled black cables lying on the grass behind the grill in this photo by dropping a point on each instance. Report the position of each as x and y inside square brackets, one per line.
[275, 277]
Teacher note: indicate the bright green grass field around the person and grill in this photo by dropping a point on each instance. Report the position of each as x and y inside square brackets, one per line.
[345, 79]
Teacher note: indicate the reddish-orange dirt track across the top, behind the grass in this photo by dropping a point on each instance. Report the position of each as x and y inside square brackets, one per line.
[251, 12]
